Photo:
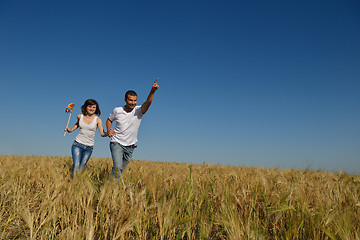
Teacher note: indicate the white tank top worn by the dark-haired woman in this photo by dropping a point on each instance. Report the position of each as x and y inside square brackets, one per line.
[86, 133]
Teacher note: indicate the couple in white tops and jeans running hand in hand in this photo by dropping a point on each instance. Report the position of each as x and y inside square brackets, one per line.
[123, 138]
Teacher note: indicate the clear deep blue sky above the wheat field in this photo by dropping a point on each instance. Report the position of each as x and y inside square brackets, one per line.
[243, 83]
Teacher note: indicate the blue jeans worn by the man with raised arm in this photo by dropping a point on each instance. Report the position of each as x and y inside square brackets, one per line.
[121, 156]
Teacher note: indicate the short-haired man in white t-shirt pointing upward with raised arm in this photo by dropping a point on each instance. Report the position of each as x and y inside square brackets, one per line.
[127, 122]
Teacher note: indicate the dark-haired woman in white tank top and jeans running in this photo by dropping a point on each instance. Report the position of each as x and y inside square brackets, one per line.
[83, 145]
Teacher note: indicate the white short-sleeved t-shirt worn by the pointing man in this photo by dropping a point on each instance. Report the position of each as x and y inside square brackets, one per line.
[127, 125]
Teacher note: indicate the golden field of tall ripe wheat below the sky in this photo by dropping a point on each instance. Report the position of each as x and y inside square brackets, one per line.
[154, 200]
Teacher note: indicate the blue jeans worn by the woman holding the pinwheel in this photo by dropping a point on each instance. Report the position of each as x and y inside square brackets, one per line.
[81, 155]
